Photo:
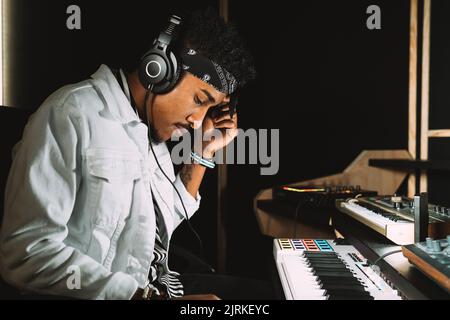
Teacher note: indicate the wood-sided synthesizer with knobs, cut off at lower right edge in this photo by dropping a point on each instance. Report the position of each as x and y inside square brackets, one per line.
[431, 257]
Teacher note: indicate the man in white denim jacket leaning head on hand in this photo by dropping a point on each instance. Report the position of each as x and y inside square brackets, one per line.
[89, 211]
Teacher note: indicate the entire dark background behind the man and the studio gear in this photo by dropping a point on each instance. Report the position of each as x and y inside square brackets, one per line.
[332, 87]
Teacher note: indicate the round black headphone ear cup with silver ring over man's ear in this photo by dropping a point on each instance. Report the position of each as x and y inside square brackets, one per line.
[153, 69]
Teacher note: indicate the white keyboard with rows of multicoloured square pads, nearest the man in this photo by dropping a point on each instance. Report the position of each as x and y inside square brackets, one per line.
[326, 270]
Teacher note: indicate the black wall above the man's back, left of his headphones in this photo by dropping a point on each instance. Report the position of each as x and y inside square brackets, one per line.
[45, 55]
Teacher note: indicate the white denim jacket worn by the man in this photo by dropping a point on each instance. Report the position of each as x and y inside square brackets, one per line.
[79, 218]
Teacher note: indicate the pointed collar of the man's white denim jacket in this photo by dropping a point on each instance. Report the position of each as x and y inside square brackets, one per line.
[117, 104]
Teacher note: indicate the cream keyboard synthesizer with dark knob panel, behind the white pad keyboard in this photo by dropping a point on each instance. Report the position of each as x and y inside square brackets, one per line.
[393, 216]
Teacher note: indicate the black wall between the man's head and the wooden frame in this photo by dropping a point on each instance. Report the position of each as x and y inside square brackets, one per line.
[332, 87]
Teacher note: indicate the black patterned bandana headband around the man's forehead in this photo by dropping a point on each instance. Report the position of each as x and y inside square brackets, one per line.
[208, 71]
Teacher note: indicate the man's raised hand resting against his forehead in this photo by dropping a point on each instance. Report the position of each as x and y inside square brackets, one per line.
[227, 130]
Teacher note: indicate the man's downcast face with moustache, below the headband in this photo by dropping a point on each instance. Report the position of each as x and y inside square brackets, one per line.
[185, 106]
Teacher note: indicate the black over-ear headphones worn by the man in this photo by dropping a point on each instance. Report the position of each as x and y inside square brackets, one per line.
[159, 69]
